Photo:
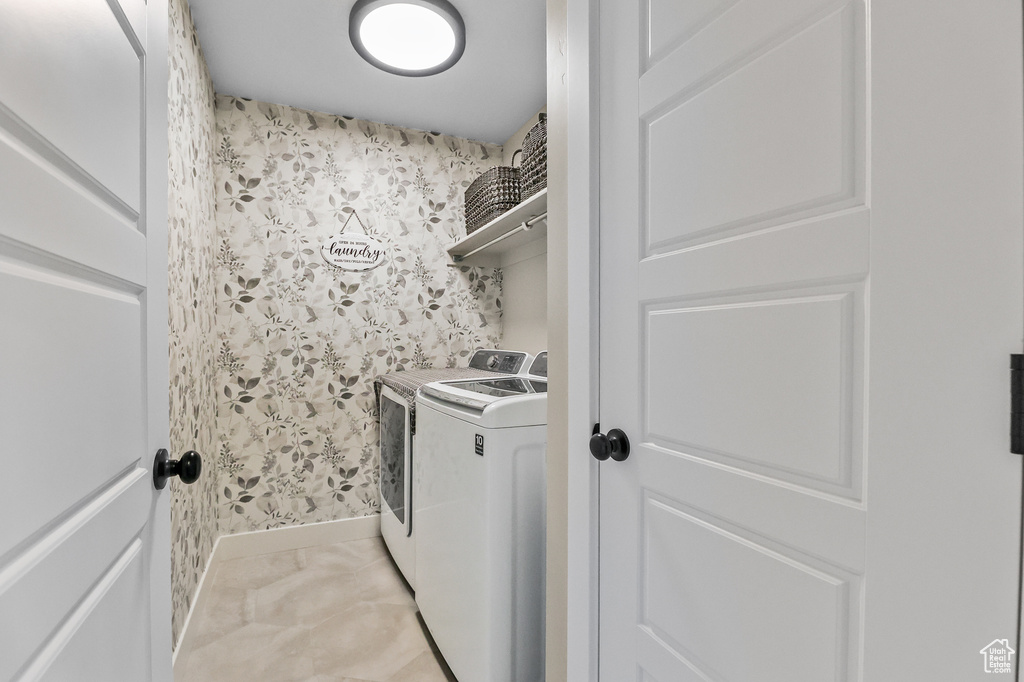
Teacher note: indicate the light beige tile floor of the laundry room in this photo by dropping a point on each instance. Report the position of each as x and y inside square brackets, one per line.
[332, 614]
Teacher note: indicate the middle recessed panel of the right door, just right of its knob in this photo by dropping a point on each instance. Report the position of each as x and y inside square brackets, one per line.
[831, 462]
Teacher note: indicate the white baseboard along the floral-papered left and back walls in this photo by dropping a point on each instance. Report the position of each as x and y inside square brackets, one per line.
[269, 542]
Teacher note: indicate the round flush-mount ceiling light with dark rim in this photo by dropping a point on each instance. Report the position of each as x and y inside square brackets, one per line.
[408, 37]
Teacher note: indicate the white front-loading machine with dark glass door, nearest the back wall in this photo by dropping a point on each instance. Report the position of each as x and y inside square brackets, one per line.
[397, 401]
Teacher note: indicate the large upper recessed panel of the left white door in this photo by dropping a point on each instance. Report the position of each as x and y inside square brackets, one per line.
[79, 80]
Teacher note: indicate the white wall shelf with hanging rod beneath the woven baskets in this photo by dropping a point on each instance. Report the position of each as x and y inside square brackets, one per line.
[527, 223]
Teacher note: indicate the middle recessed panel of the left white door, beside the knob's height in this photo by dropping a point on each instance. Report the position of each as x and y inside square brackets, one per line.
[107, 421]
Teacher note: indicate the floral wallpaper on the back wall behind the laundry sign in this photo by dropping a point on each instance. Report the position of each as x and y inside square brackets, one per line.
[301, 342]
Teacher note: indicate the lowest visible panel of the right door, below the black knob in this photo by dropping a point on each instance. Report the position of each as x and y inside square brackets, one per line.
[777, 577]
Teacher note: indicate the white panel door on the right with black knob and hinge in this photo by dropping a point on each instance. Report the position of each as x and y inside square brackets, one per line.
[813, 267]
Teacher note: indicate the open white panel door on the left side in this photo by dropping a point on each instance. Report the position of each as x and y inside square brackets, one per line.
[84, 548]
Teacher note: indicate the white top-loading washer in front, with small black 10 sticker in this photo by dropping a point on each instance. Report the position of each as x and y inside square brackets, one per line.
[481, 524]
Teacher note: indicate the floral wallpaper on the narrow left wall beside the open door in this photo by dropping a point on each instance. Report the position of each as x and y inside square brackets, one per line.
[193, 247]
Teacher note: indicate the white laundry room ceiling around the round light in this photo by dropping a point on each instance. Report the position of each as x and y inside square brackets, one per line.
[297, 53]
